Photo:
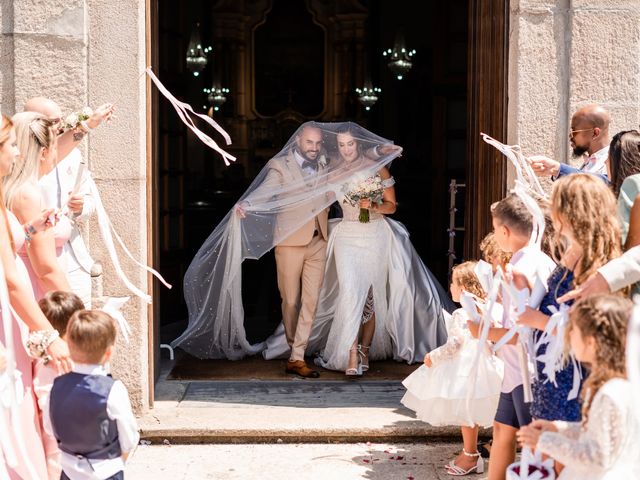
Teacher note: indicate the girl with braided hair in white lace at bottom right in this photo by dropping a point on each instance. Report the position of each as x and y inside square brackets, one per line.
[604, 445]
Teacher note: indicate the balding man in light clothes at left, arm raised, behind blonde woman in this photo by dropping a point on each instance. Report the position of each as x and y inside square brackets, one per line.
[76, 258]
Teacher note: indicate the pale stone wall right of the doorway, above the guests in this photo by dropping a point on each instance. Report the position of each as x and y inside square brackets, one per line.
[564, 54]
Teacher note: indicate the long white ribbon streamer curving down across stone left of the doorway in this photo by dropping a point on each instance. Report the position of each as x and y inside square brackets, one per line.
[108, 232]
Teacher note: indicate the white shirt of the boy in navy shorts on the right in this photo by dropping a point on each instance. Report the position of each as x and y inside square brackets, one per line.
[530, 262]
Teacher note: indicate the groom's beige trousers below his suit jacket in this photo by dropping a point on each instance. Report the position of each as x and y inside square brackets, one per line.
[300, 275]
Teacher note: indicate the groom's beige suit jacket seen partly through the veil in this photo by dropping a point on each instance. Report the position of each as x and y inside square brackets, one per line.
[285, 170]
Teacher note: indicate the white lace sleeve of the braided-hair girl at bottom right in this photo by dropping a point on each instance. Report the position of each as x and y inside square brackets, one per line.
[596, 447]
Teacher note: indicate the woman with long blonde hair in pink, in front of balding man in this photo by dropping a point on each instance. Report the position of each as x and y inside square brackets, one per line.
[37, 142]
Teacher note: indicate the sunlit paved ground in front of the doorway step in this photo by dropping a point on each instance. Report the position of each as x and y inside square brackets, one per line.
[372, 461]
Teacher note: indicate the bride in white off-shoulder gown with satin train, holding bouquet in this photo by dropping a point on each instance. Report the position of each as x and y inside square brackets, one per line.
[378, 300]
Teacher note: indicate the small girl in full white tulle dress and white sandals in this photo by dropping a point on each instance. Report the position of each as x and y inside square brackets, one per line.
[439, 391]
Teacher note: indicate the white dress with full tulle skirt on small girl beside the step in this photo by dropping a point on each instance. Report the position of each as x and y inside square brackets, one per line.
[456, 390]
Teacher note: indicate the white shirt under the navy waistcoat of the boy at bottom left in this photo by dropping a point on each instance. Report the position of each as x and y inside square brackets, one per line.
[118, 409]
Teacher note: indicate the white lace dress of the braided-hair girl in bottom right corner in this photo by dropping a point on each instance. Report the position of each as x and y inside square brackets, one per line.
[606, 448]
